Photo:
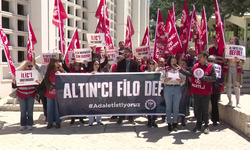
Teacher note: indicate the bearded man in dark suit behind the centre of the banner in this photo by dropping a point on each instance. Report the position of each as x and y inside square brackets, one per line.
[127, 65]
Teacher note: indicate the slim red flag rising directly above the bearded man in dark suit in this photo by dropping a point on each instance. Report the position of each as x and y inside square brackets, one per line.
[129, 33]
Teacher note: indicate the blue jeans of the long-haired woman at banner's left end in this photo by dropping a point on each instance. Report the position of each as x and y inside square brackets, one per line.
[52, 111]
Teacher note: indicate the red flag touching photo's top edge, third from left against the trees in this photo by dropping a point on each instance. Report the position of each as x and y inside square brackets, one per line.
[184, 28]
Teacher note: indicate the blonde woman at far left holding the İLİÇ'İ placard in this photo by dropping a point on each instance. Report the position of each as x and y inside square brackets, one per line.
[26, 96]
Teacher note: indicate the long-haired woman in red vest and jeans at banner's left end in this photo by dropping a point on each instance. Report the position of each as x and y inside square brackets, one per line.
[50, 81]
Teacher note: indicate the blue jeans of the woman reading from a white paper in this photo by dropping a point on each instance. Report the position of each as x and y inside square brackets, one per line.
[172, 95]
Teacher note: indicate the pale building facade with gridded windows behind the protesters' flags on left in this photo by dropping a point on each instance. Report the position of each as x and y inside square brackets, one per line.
[81, 15]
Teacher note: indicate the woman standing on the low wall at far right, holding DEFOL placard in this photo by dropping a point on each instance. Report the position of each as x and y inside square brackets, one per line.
[232, 70]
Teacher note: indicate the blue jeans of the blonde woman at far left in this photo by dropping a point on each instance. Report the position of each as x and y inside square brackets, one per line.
[26, 107]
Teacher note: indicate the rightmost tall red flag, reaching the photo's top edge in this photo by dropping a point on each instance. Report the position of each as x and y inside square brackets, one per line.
[219, 30]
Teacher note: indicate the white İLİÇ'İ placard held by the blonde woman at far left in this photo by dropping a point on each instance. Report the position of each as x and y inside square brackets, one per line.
[27, 77]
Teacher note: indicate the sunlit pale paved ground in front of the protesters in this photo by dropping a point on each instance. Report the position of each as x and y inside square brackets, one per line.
[113, 136]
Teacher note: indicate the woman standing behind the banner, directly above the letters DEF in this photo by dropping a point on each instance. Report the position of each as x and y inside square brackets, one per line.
[152, 65]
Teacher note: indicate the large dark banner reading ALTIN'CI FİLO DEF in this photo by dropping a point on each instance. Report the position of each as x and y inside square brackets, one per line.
[109, 94]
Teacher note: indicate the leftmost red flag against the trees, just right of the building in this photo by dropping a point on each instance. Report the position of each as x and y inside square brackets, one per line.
[160, 44]
